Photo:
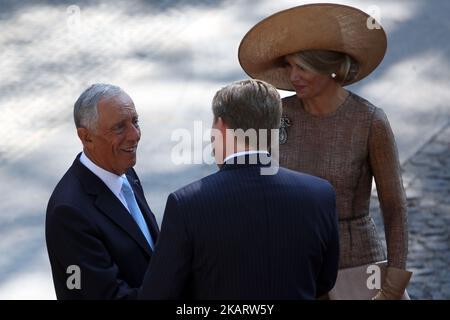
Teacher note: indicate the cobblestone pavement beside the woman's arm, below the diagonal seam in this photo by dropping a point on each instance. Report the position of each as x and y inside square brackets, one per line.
[426, 178]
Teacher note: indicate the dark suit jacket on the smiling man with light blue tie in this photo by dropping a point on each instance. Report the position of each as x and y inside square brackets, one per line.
[88, 226]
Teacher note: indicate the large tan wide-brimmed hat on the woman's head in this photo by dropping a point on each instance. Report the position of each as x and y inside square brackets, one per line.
[321, 26]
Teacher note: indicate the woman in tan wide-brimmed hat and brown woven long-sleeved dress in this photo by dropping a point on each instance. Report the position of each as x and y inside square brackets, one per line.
[330, 132]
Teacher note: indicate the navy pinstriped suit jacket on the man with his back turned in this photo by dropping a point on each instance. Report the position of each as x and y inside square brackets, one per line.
[237, 234]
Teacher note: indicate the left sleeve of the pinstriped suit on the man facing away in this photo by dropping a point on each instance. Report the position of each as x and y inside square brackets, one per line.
[170, 268]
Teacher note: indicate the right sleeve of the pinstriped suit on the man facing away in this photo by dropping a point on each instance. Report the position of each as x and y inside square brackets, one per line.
[328, 273]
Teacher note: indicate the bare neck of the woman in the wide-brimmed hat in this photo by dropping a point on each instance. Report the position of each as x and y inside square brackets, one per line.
[327, 102]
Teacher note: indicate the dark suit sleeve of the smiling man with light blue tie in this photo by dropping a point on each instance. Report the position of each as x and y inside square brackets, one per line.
[72, 240]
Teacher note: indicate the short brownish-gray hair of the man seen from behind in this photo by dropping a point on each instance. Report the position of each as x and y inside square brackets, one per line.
[248, 104]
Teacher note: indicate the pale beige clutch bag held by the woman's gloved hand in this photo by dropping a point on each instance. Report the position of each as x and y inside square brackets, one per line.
[360, 283]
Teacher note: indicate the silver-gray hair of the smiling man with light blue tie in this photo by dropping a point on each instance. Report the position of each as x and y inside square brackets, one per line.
[85, 111]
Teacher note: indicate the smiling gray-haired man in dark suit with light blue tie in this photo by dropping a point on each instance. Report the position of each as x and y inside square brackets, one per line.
[100, 230]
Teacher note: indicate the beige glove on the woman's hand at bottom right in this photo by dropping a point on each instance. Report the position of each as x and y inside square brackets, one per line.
[394, 284]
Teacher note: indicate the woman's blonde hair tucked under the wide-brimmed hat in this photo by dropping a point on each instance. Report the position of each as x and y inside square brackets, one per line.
[328, 62]
